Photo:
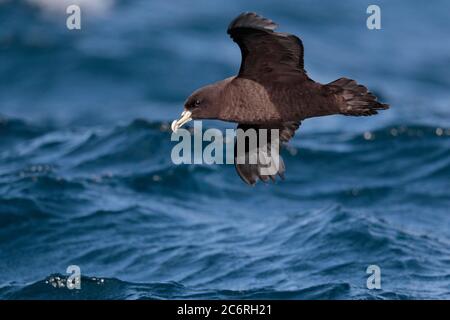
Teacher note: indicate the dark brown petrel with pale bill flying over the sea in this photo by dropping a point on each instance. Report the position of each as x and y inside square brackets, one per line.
[272, 89]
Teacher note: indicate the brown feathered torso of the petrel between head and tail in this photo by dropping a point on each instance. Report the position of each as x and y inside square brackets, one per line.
[248, 101]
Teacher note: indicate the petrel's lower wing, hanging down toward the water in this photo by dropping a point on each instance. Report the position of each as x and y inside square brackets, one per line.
[250, 173]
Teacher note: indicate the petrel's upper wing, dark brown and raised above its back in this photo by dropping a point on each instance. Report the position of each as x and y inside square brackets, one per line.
[266, 54]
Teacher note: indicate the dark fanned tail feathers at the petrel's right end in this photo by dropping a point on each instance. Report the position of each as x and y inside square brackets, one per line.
[356, 99]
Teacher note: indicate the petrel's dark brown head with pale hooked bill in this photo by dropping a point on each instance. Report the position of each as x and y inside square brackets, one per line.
[201, 104]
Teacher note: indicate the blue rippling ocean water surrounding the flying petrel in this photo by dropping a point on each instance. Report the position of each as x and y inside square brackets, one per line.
[86, 176]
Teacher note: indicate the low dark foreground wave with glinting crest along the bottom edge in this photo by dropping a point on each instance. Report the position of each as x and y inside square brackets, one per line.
[54, 288]
